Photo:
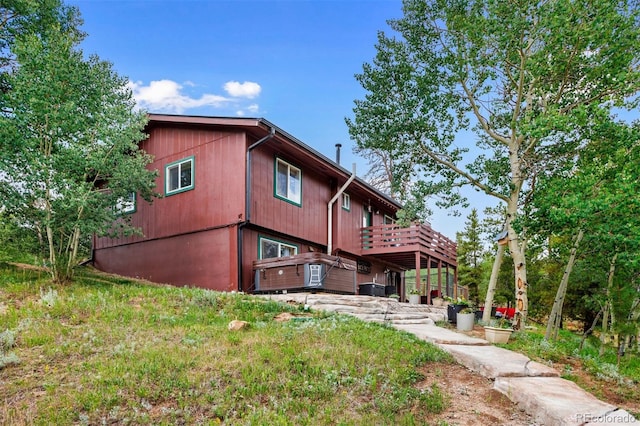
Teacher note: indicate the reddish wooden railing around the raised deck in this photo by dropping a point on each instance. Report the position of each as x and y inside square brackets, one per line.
[417, 237]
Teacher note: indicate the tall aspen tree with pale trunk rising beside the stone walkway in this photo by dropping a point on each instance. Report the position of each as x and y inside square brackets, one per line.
[532, 90]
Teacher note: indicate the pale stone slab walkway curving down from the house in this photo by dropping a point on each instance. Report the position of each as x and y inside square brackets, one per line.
[537, 389]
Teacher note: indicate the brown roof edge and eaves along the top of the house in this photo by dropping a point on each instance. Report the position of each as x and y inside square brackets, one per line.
[265, 125]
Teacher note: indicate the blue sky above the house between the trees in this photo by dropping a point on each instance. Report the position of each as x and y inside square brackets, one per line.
[292, 62]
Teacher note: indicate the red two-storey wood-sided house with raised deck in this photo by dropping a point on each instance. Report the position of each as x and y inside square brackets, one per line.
[245, 204]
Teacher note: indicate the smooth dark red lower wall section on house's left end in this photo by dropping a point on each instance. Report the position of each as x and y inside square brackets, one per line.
[205, 259]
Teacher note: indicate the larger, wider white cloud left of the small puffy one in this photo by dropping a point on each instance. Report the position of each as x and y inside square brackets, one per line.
[167, 96]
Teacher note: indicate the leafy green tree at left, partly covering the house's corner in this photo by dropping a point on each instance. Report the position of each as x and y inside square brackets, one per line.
[68, 130]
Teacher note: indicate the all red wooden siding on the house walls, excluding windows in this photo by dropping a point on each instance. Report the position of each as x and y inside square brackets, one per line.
[191, 238]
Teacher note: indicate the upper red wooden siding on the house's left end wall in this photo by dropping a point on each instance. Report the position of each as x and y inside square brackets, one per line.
[218, 195]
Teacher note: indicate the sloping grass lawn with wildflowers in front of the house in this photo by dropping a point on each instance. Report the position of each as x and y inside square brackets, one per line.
[110, 350]
